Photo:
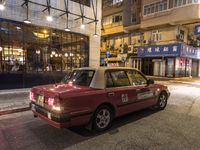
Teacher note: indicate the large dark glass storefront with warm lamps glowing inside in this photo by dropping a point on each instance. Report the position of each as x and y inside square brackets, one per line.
[28, 48]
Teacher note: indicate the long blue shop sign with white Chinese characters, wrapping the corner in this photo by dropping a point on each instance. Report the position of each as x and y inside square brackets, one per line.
[170, 50]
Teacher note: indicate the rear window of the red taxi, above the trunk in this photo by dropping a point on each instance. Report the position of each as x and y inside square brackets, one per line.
[80, 77]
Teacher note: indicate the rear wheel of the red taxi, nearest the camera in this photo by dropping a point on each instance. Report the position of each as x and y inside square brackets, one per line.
[102, 119]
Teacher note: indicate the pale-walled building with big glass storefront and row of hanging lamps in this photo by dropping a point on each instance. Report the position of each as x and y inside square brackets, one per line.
[38, 37]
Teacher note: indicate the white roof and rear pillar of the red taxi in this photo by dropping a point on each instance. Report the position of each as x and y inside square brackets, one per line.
[98, 80]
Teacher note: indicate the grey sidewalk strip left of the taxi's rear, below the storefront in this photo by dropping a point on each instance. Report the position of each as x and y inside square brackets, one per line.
[15, 100]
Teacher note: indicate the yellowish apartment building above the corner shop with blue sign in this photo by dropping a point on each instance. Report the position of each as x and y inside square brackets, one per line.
[163, 36]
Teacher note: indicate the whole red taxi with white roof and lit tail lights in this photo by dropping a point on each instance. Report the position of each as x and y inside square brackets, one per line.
[96, 97]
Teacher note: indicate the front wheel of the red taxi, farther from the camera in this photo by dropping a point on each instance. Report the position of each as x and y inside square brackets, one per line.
[162, 101]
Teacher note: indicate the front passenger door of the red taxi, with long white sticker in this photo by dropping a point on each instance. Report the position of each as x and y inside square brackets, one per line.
[144, 94]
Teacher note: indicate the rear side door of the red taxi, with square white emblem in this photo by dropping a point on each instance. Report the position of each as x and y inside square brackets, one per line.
[120, 91]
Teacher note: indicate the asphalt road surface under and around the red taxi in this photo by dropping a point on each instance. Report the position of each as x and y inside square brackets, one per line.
[177, 127]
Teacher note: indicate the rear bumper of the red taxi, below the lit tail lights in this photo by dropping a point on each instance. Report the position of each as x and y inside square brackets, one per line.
[61, 120]
